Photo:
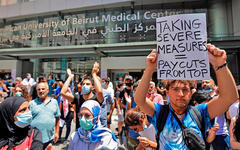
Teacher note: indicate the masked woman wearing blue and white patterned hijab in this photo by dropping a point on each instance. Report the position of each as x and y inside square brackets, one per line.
[90, 136]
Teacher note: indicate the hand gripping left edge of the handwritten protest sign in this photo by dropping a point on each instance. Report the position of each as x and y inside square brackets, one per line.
[151, 60]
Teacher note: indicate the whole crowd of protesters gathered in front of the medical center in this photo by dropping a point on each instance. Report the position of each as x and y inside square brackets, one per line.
[150, 114]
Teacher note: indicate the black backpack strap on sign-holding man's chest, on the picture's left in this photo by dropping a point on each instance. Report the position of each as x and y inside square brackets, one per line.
[161, 120]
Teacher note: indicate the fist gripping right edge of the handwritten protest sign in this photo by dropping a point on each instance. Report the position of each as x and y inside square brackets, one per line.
[217, 57]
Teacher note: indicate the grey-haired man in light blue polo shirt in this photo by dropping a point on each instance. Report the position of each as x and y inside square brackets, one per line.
[46, 113]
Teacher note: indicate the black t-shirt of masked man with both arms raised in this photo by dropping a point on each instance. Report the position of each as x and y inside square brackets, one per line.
[78, 101]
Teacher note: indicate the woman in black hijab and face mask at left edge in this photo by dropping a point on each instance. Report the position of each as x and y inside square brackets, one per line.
[16, 132]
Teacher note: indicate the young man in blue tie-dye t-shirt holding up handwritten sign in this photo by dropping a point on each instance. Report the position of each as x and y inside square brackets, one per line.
[180, 92]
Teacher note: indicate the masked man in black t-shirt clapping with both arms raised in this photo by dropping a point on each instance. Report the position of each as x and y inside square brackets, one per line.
[87, 91]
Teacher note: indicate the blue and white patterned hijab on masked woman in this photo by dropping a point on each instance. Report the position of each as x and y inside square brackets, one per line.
[96, 133]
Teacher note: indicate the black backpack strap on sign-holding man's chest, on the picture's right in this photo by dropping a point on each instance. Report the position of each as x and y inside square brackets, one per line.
[199, 120]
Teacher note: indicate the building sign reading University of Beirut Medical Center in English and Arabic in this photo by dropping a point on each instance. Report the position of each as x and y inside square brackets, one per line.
[99, 27]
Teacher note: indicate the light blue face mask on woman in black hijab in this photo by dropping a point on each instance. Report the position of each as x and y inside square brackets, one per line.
[24, 119]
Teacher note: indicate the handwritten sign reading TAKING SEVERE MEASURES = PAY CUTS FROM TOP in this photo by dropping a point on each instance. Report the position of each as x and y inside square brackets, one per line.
[181, 45]
